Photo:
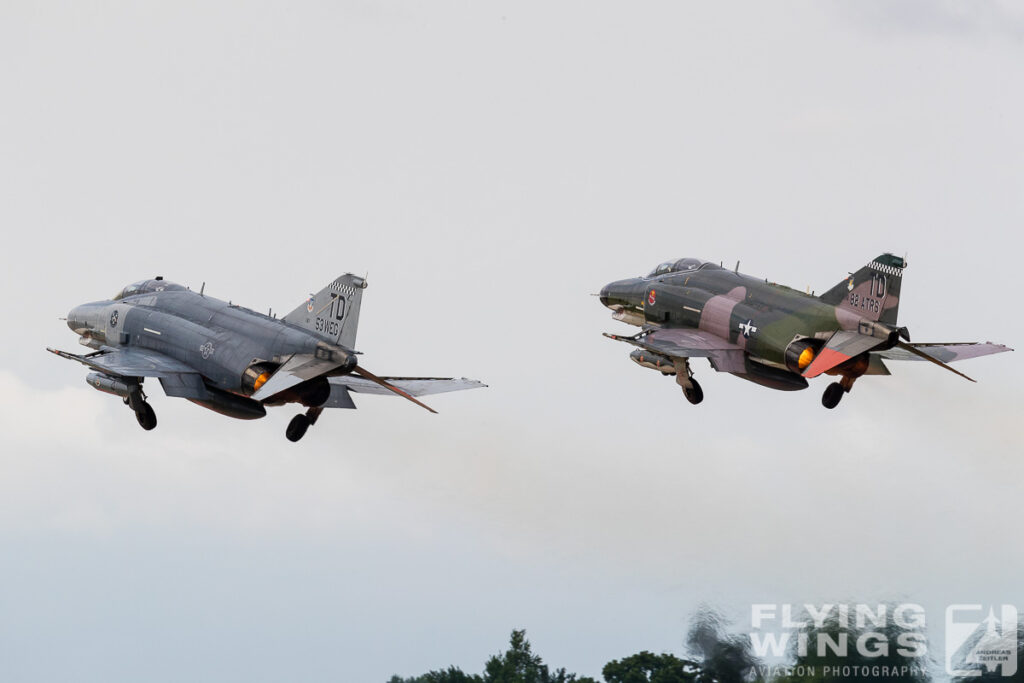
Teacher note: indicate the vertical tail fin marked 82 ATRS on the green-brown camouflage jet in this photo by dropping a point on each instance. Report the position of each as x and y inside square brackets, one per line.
[872, 292]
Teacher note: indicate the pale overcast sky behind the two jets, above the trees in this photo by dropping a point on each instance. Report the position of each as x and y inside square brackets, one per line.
[491, 166]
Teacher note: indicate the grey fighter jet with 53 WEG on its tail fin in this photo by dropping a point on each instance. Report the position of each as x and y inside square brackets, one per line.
[234, 361]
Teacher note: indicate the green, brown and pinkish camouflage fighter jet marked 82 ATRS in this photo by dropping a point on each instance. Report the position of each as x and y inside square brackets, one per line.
[771, 334]
